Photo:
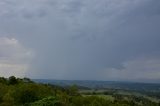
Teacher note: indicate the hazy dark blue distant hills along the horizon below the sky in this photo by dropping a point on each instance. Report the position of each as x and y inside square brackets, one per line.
[103, 84]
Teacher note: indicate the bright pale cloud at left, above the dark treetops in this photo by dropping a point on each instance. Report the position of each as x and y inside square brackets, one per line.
[14, 57]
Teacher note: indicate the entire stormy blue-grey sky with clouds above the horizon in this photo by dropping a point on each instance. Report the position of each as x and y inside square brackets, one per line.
[116, 40]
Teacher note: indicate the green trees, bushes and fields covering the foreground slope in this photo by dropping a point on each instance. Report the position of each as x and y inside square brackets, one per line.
[24, 92]
